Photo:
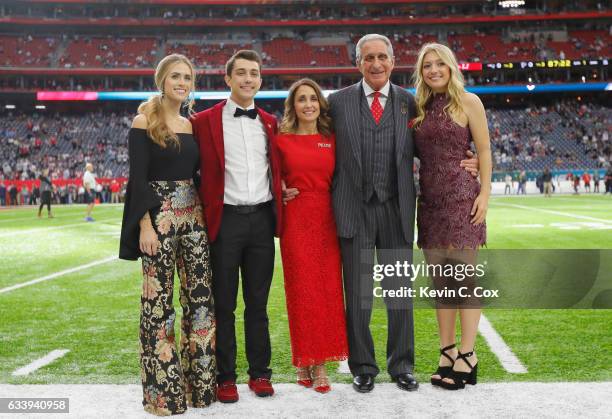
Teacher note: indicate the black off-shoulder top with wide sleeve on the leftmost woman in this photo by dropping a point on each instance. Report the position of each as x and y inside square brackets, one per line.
[150, 162]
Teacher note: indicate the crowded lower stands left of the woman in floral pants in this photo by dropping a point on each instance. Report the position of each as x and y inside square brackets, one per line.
[63, 143]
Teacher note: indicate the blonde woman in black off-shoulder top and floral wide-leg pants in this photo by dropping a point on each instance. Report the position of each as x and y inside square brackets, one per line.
[163, 224]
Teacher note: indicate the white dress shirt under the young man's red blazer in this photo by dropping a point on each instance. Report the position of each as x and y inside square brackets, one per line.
[247, 178]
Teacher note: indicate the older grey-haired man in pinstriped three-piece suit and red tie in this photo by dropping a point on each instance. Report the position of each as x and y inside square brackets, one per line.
[374, 202]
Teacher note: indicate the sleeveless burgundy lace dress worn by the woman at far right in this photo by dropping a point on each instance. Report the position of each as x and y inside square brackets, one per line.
[447, 190]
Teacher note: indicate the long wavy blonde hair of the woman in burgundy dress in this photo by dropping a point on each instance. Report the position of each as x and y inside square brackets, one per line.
[455, 87]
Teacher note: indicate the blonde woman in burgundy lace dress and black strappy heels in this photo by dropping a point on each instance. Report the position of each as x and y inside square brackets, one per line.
[453, 205]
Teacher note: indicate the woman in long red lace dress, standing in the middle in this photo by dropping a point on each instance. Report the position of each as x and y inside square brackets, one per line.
[309, 244]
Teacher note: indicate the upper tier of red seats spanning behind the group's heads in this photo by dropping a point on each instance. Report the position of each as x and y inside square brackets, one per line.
[80, 51]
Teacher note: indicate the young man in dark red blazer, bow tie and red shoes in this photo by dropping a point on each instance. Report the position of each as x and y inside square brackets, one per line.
[241, 194]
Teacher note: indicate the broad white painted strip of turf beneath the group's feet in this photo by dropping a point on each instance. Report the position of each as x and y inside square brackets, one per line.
[494, 400]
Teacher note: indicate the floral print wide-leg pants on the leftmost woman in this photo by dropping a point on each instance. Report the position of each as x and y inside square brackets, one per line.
[171, 381]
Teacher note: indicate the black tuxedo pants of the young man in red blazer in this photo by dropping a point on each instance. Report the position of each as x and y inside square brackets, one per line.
[243, 248]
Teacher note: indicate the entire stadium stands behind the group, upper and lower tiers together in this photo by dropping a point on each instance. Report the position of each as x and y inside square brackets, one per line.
[36, 53]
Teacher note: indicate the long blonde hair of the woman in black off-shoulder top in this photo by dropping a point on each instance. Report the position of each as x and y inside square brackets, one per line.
[157, 129]
